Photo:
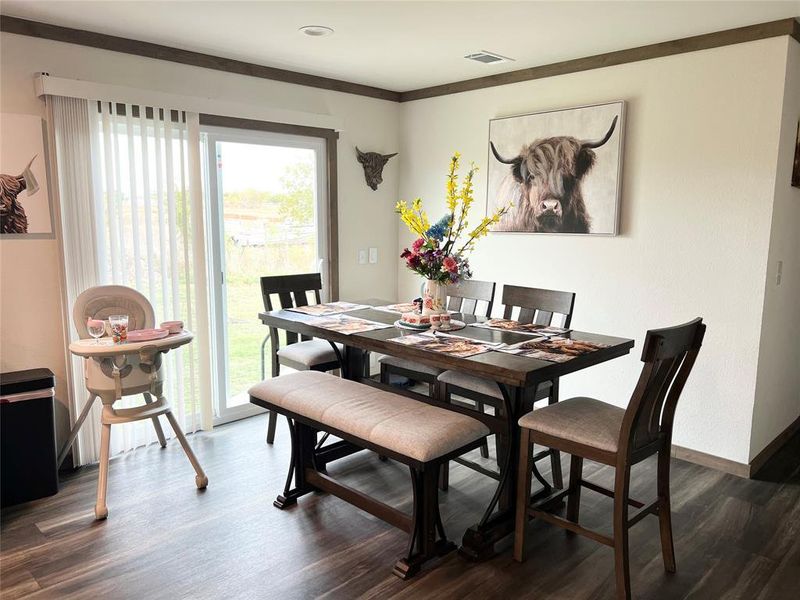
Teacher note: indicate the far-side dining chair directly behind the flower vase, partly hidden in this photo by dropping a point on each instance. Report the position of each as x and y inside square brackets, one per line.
[462, 297]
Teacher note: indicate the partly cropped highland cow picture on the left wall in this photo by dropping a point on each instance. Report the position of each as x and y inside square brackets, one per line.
[24, 197]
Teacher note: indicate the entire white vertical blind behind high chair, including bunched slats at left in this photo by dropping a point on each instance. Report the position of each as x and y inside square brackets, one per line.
[132, 215]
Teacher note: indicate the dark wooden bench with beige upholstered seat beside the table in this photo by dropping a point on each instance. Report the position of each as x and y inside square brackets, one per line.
[409, 431]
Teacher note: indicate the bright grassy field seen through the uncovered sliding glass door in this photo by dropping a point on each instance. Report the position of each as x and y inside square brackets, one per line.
[269, 228]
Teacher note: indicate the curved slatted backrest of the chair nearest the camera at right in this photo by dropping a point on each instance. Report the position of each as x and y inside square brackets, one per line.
[668, 355]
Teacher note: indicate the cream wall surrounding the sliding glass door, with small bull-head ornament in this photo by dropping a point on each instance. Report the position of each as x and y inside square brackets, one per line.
[30, 313]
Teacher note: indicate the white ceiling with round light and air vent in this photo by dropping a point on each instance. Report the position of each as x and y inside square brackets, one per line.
[401, 45]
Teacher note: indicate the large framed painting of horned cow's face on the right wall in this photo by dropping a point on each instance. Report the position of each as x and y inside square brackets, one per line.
[560, 169]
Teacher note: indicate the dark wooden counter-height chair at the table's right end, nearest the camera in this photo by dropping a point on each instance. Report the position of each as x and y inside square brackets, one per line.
[588, 428]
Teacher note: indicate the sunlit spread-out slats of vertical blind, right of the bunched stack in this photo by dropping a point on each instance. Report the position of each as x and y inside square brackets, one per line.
[143, 215]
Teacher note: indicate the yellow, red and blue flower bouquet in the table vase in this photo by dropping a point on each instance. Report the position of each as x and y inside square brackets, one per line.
[440, 252]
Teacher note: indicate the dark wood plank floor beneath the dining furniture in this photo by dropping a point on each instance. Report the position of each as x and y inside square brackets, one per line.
[734, 538]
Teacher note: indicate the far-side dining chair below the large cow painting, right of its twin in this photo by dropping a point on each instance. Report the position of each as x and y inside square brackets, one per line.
[545, 307]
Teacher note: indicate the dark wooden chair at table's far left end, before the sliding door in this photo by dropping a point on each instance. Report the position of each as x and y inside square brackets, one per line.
[300, 355]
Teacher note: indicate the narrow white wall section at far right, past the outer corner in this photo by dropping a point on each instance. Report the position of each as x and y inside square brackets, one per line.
[777, 402]
